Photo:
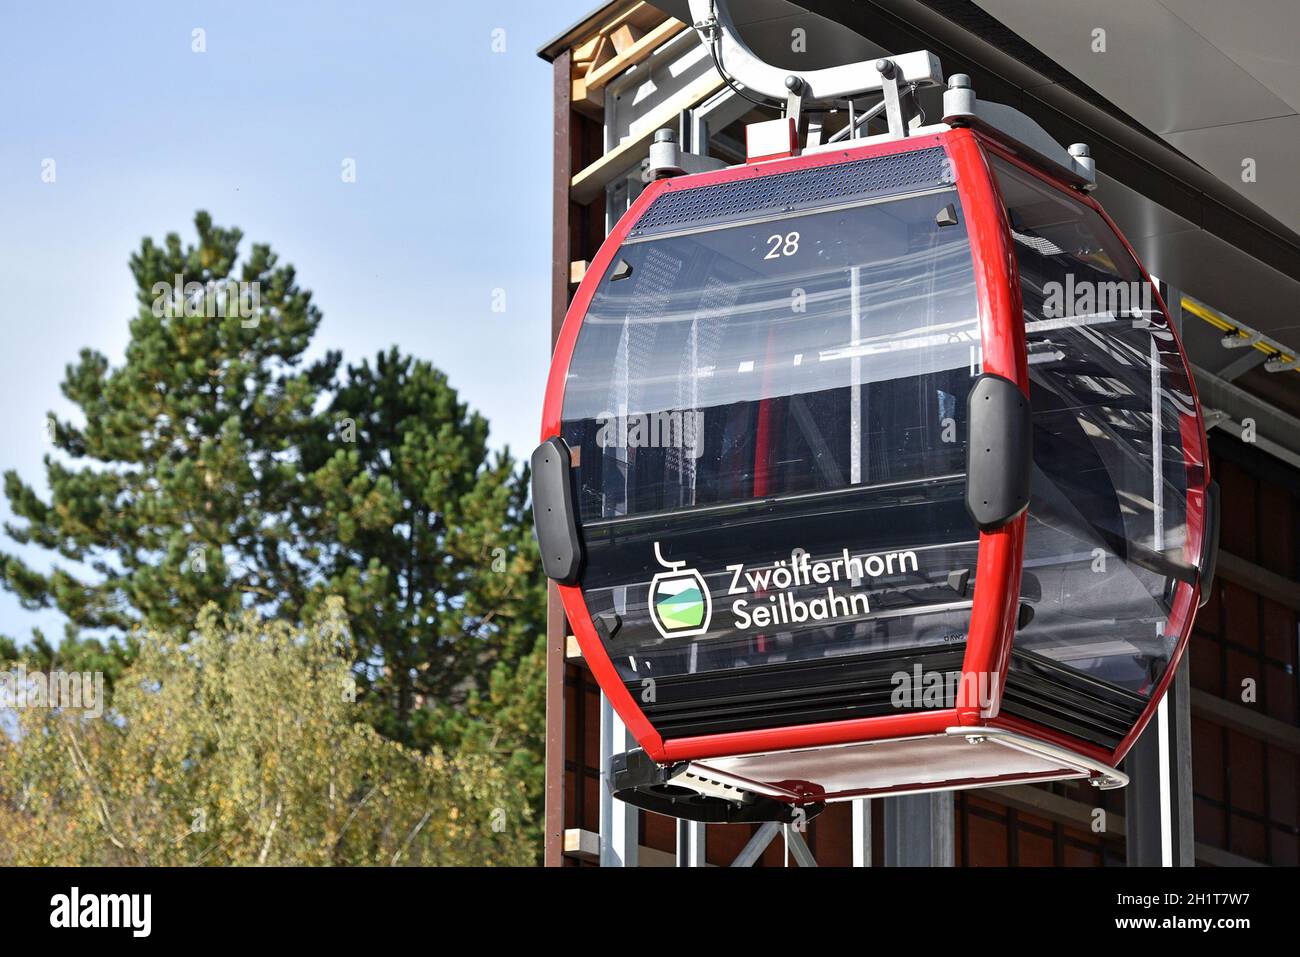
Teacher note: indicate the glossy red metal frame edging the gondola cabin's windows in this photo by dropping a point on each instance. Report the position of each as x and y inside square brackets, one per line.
[995, 609]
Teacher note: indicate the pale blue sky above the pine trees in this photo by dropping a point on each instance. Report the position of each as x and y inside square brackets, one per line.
[453, 151]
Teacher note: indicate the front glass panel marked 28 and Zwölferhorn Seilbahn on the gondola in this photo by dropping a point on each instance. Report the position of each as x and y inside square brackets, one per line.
[770, 423]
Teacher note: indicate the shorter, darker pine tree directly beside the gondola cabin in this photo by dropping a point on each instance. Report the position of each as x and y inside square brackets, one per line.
[430, 540]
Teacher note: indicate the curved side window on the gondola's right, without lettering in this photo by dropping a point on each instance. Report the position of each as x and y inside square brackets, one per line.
[1107, 536]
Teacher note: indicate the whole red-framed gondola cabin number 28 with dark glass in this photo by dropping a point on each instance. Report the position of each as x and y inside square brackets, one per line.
[873, 471]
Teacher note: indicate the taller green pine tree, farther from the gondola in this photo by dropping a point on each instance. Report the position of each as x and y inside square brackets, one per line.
[185, 471]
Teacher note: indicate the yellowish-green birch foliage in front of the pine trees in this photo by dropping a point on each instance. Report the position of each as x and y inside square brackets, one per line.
[241, 743]
